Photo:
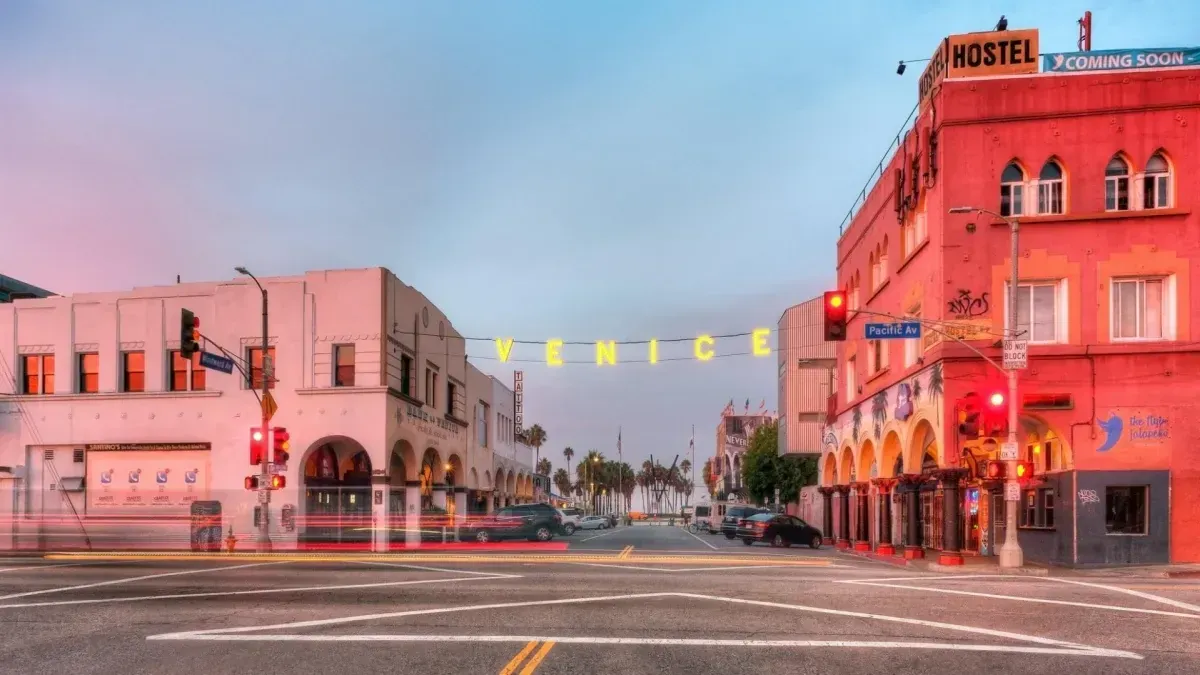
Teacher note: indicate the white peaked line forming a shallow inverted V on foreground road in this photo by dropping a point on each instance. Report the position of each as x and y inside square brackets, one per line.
[241, 632]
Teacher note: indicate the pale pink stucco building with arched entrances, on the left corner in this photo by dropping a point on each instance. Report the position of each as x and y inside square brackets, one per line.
[370, 379]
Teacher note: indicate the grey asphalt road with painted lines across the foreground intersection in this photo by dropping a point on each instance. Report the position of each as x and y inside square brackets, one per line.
[638, 600]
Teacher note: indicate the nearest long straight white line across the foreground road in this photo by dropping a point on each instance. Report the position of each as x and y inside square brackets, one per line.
[659, 642]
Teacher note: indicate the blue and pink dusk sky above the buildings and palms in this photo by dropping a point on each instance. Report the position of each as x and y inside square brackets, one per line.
[619, 170]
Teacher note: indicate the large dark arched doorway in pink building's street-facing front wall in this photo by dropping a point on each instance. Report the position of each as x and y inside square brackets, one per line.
[338, 494]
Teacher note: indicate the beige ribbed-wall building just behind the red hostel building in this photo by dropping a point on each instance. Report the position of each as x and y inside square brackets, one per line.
[807, 368]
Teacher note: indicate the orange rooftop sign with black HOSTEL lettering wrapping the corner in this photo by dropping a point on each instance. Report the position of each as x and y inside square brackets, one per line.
[980, 55]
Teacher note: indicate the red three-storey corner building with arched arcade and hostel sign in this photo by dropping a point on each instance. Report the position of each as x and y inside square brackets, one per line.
[1100, 171]
